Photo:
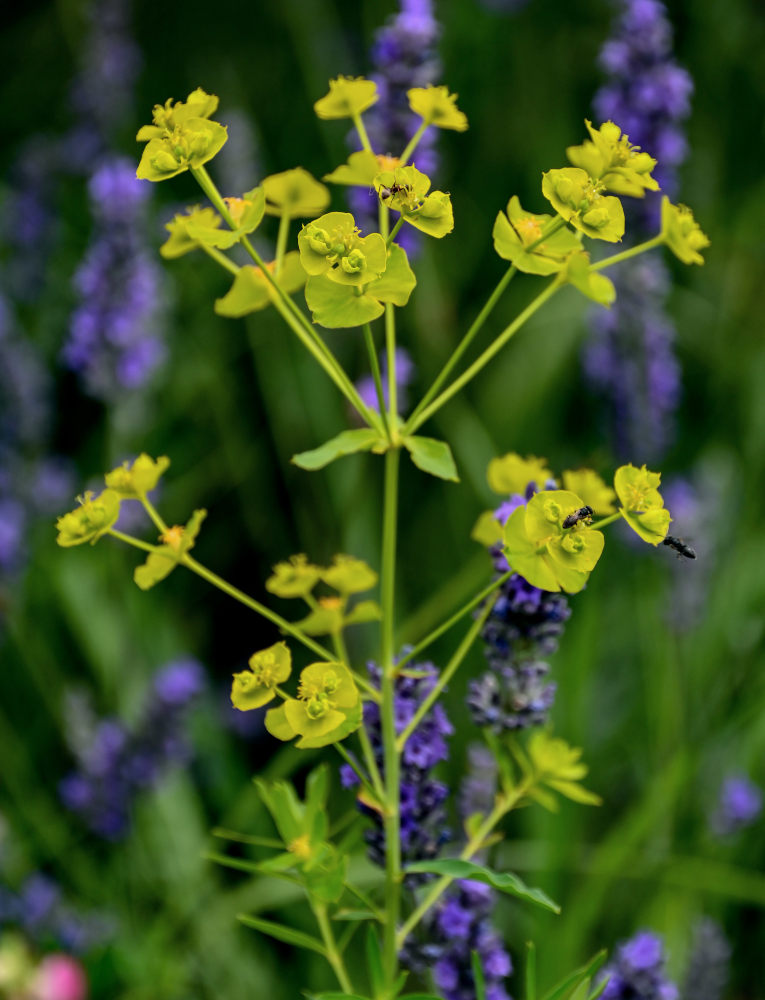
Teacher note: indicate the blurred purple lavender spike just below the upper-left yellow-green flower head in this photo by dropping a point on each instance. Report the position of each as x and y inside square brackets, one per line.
[114, 341]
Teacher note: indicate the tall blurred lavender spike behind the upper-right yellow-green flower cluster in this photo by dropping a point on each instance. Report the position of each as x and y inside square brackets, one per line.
[631, 359]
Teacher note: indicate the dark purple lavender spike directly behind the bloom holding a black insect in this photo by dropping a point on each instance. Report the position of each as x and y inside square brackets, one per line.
[523, 627]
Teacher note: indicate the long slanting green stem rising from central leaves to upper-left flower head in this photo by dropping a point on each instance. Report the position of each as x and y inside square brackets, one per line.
[308, 336]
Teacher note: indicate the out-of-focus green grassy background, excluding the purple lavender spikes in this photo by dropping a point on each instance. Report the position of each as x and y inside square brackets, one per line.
[663, 713]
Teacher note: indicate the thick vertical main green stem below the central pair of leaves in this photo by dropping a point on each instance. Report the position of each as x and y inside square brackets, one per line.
[387, 715]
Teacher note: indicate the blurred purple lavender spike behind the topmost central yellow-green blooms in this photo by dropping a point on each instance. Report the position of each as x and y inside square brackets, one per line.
[403, 56]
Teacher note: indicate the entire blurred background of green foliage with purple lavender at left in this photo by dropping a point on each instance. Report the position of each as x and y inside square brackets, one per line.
[660, 669]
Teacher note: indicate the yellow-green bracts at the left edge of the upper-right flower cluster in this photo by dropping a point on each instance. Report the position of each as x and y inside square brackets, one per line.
[520, 237]
